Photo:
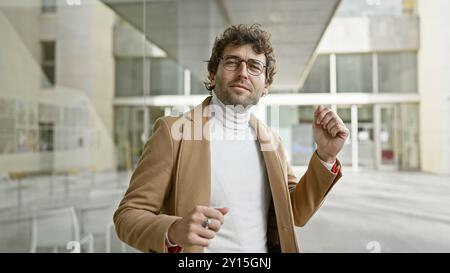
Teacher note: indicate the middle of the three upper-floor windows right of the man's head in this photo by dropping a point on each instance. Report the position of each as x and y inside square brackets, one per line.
[354, 73]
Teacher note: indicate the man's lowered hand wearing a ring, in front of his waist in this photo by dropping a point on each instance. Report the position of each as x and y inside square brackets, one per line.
[189, 231]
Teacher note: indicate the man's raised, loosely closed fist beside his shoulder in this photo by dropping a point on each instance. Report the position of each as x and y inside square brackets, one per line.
[329, 132]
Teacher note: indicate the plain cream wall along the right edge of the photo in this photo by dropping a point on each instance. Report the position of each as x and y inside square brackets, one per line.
[434, 85]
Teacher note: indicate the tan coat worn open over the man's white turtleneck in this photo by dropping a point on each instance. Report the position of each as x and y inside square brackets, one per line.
[174, 175]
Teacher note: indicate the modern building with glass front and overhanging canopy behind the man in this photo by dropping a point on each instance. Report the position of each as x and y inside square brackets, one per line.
[82, 81]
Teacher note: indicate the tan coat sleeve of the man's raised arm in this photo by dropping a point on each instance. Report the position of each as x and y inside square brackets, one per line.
[308, 194]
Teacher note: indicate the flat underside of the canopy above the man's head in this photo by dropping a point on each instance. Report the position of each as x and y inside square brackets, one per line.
[186, 29]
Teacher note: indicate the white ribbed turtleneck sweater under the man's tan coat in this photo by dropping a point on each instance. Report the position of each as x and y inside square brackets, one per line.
[238, 182]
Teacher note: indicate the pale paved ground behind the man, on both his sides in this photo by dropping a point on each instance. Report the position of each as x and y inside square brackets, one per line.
[366, 211]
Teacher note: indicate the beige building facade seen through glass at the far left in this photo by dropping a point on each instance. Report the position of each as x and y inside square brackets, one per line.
[56, 86]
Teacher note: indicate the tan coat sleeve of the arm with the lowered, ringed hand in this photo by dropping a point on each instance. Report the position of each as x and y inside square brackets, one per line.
[137, 220]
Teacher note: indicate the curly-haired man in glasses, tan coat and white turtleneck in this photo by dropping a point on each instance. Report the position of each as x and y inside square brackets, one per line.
[217, 179]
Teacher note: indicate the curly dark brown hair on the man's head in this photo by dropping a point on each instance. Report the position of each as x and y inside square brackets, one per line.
[242, 35]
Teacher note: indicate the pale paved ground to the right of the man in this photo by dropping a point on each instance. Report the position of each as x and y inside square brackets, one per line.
[382, 211]
